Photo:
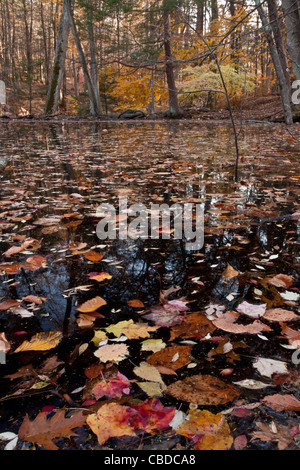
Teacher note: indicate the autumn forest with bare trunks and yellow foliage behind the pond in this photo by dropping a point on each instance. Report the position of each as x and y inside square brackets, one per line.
[102, 57]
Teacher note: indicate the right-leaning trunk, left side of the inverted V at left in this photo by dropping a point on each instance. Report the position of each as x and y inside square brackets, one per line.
[59, 62]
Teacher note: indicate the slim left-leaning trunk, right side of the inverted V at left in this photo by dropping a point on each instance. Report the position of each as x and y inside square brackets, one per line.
[94, 109]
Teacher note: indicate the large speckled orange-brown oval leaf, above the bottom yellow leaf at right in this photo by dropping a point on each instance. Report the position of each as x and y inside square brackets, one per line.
[203, 390]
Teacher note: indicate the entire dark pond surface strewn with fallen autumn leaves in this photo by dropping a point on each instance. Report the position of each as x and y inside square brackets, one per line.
[176, 349]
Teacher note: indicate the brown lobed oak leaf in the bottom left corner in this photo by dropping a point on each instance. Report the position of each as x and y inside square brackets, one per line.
[42, 431]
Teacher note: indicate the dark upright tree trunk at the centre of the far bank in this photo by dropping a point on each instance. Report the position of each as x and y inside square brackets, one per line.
[173, 95]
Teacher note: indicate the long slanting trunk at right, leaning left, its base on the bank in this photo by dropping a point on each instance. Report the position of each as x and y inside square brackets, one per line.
[283, 85]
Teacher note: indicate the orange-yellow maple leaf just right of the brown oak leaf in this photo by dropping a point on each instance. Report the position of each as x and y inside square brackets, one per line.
[111, 420]
